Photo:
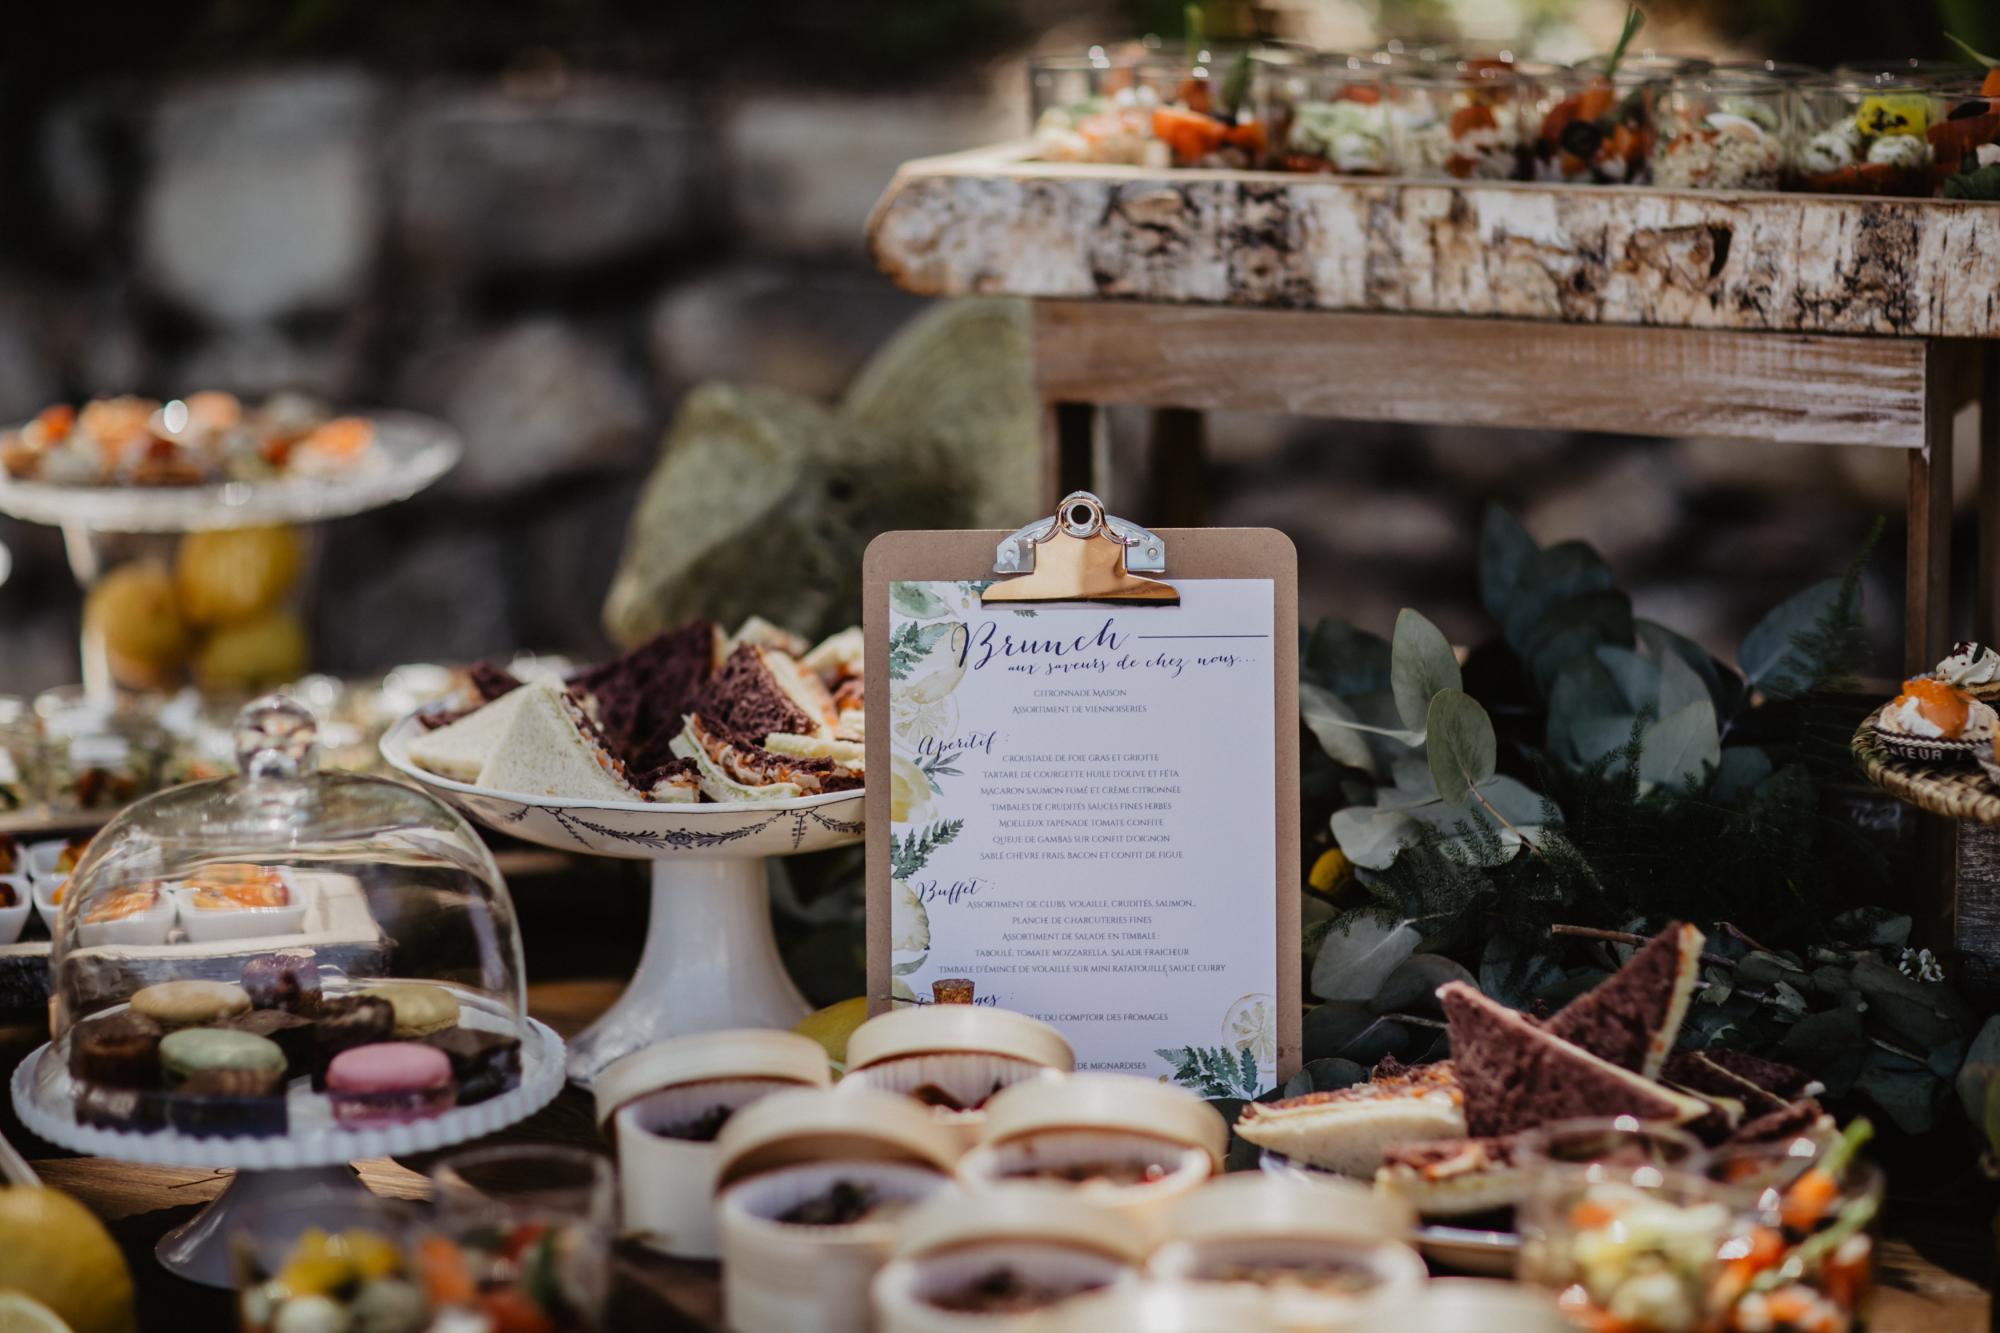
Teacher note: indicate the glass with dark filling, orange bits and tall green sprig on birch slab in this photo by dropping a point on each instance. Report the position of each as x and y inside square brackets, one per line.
[1591, 129]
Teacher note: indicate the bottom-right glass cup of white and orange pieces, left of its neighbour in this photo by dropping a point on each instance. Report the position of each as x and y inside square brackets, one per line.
[1627, 1244]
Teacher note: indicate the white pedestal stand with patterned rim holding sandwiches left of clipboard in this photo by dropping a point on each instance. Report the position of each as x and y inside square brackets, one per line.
[711, 960]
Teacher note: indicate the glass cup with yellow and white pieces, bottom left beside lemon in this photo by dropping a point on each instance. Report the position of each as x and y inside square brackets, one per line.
[329, 1260]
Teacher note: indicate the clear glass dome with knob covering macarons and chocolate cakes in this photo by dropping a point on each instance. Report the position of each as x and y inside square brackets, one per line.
[283, 954]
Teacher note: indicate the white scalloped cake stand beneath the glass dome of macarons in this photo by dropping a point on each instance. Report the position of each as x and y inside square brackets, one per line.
[315, 1154]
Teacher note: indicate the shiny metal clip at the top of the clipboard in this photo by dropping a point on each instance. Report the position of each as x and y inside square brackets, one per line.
[1081, 555]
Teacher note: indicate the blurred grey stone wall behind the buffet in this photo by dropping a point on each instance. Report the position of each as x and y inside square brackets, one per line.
[553, 249]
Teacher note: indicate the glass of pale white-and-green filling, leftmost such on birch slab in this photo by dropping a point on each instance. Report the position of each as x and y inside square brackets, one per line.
[1323, 113]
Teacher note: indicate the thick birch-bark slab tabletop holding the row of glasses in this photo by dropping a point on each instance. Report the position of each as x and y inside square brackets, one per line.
[997, 223]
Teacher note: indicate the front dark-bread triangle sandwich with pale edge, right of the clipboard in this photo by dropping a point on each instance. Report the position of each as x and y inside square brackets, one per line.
[1519, 1076]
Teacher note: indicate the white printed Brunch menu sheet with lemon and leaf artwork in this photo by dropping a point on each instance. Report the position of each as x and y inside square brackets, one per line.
[1085, 818]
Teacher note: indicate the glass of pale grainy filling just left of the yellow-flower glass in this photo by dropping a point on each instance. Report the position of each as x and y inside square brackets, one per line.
[1723, 133]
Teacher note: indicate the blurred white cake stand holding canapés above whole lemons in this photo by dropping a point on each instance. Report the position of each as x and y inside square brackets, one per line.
[413, 453]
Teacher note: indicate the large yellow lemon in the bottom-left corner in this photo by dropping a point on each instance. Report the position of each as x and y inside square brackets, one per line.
[55, 1252]
